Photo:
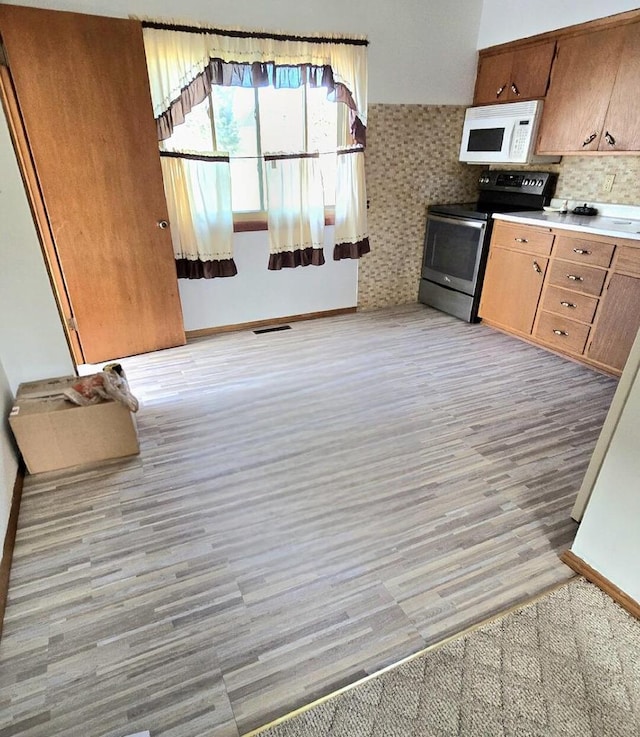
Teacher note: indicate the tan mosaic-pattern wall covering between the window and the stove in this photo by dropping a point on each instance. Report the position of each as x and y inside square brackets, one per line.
[411, 162]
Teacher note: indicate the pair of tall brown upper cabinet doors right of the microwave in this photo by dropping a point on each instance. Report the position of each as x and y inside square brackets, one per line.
[592, 100]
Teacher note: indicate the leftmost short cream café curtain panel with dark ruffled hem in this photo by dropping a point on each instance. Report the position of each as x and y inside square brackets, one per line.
[198, 191]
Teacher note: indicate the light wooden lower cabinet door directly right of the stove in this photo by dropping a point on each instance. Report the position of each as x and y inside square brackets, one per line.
[511, 289]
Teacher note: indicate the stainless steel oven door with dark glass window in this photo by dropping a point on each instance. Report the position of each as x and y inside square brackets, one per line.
[453, 250]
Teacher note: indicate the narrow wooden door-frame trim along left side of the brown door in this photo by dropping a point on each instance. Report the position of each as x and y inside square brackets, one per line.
[39, 213]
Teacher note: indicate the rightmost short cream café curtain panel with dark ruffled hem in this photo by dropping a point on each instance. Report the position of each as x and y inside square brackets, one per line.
[351, 231]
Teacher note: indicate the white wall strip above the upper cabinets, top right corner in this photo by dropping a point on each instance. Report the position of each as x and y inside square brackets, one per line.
[507, 20]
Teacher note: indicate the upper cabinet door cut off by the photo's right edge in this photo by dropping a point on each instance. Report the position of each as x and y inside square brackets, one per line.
[621, 130]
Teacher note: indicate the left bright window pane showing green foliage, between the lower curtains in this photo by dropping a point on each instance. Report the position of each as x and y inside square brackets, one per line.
[236, 132]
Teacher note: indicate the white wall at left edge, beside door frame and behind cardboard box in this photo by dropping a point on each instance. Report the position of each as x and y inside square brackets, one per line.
[32, 342]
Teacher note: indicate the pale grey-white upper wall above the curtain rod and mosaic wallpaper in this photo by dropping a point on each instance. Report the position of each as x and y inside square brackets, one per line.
[421, 51]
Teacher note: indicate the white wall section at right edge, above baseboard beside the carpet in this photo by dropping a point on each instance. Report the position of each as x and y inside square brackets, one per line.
[608, 538]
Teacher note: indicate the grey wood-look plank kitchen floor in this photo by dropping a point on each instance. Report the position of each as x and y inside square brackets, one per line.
[309, 506]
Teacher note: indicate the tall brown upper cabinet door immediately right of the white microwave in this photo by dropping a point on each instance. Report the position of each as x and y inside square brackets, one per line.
[581, 84]
